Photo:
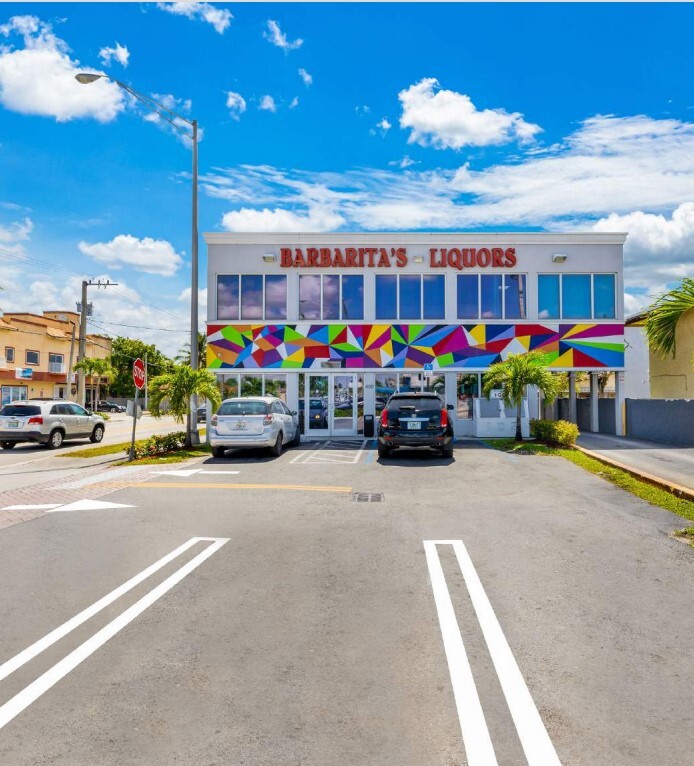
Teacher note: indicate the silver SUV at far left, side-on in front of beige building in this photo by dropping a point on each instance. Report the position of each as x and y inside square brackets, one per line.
[49, 422]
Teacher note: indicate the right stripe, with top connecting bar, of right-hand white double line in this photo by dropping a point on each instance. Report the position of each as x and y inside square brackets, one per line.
[537, 746]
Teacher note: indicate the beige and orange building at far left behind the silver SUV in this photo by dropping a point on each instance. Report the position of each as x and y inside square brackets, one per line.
[35, 353]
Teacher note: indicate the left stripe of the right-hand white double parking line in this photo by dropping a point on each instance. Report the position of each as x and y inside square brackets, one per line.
[478, 744]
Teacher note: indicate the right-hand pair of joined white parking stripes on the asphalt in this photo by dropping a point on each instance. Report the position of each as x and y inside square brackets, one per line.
[534, 739]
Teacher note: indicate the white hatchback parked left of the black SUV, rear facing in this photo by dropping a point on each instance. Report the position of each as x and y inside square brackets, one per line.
[253, 421]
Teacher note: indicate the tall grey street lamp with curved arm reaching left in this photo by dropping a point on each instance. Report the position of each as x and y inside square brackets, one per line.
[174, 119]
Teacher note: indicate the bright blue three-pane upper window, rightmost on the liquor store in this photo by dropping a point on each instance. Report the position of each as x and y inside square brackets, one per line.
[576, 296]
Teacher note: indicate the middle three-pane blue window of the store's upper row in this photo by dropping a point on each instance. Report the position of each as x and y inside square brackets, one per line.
[410, 296]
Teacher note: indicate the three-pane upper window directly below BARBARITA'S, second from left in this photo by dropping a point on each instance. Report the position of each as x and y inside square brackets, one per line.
[331, 296]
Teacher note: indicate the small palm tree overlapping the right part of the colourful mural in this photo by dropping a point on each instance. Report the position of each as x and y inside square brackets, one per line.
[514, 374]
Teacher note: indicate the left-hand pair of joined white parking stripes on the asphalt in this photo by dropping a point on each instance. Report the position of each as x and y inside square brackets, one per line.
[43, 683]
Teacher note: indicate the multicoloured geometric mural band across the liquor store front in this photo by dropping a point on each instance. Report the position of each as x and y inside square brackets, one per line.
[402, 346]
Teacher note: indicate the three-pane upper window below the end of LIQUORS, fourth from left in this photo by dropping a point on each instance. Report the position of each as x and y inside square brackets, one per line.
[491, 296]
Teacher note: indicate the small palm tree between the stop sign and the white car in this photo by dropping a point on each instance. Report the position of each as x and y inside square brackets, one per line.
[177, 388]
